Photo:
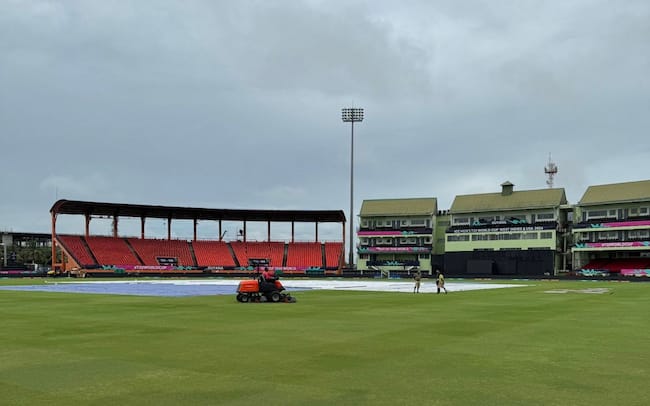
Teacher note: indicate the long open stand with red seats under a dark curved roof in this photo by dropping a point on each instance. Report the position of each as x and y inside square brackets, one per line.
[133, 255]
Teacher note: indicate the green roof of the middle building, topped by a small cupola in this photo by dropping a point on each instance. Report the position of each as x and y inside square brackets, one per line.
[516, 200]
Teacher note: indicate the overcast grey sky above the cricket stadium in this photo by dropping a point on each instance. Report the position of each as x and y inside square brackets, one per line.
[237, 104]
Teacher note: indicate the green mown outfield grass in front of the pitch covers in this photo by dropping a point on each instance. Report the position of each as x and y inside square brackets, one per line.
[517, 346]
